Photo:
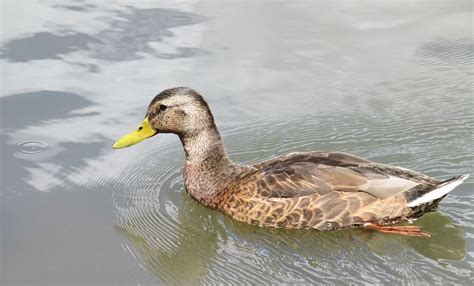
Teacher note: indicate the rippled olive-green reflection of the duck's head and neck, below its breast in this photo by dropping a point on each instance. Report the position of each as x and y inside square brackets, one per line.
[178, 252]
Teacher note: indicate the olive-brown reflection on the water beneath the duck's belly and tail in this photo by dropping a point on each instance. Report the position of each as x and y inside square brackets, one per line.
[447, 240]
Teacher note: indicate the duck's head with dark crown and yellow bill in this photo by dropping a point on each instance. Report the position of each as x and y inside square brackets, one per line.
[179, 110]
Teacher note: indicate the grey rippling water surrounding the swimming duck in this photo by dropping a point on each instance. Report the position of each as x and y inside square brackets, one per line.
[388, 81]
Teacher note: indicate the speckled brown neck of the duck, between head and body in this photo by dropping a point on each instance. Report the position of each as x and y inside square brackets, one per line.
[207, 170]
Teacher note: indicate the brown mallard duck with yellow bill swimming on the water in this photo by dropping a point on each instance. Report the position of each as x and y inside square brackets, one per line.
[313, 190]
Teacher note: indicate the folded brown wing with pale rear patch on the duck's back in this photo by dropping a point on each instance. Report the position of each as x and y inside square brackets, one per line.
[319, 173]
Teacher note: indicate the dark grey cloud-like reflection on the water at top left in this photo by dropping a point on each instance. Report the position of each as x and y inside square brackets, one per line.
[132, 33]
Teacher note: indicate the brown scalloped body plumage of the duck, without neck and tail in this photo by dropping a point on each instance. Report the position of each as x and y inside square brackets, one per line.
[316, 190]
